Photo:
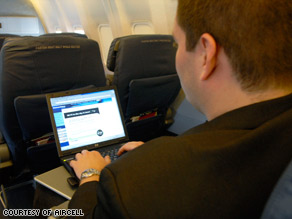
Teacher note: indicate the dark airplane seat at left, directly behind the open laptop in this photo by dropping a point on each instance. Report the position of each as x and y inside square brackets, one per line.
[30, 67]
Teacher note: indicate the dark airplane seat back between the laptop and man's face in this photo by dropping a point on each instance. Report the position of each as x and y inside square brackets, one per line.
[146, 80]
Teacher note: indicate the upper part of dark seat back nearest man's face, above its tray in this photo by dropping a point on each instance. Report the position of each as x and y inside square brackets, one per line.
[140, 56]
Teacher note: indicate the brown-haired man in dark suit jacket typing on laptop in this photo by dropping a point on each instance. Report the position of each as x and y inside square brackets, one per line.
[234, 63]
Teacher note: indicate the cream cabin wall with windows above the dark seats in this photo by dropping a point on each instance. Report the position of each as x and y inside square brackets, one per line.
[104, 20]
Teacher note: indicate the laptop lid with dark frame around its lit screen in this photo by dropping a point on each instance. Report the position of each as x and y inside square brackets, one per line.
[86, 119]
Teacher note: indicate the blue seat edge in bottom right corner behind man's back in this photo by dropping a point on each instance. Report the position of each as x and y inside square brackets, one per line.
[279, 204]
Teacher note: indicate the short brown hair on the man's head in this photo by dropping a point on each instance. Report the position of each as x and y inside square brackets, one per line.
[255, 35]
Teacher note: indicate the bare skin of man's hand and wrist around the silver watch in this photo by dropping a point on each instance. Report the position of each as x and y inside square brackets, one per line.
[89, 159]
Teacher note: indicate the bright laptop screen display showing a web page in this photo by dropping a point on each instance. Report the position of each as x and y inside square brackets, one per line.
[85, 119]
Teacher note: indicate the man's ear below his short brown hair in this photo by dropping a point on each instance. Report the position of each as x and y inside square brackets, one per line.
[209, 46]
